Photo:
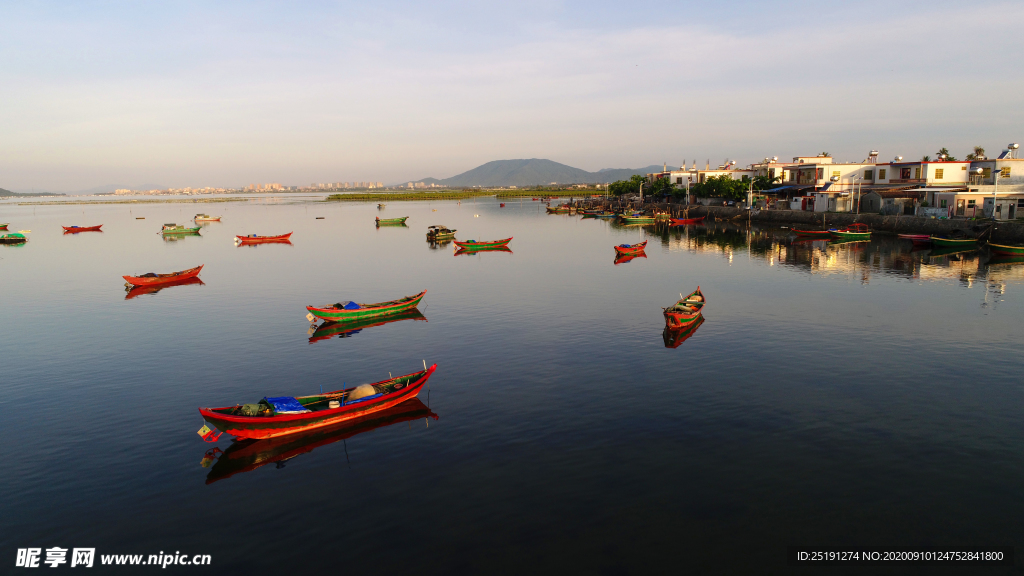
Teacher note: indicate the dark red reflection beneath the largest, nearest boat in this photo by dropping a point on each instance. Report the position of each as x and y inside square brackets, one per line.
[247, 456]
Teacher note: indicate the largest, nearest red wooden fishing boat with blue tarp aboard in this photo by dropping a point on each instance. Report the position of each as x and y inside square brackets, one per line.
[274, 418]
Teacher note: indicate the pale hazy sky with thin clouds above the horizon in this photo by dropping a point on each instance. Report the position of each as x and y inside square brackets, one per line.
[226, 95]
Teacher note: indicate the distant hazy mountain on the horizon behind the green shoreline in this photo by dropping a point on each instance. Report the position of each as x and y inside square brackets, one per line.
[535, 173]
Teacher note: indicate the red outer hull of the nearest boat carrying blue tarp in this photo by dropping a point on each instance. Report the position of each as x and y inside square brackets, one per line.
[273, 427]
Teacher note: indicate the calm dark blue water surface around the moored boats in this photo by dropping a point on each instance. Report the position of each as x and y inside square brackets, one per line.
[864, 394]
